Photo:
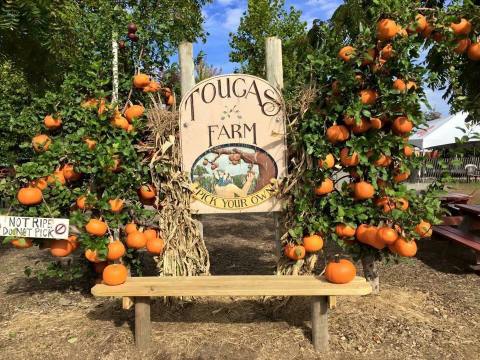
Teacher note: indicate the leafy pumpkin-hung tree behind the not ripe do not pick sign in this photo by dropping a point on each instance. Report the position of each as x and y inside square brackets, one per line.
[86, 149]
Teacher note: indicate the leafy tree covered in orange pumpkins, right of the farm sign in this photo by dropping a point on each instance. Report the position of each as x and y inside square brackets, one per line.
[355, 136]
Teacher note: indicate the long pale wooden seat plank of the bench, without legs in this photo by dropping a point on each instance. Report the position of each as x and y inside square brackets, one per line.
[248, 285]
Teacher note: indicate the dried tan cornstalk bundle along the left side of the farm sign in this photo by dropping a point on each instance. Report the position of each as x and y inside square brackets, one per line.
[185, 253]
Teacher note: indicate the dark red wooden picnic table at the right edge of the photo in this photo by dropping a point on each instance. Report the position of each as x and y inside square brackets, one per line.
[467, 233]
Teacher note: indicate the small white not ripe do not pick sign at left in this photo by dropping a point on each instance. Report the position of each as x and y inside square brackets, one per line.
[30, 227]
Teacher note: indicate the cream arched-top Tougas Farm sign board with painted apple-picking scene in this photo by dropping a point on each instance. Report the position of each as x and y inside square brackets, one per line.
[232, 131]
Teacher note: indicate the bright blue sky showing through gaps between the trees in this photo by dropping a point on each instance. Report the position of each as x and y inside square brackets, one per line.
[223, 17]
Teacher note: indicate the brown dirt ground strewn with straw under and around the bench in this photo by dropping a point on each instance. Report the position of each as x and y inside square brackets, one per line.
[428, 308]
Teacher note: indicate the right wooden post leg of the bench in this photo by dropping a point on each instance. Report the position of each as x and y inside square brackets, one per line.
[320, 323]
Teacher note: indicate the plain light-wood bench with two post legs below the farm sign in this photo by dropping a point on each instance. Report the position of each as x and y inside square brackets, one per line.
[142, 288]
